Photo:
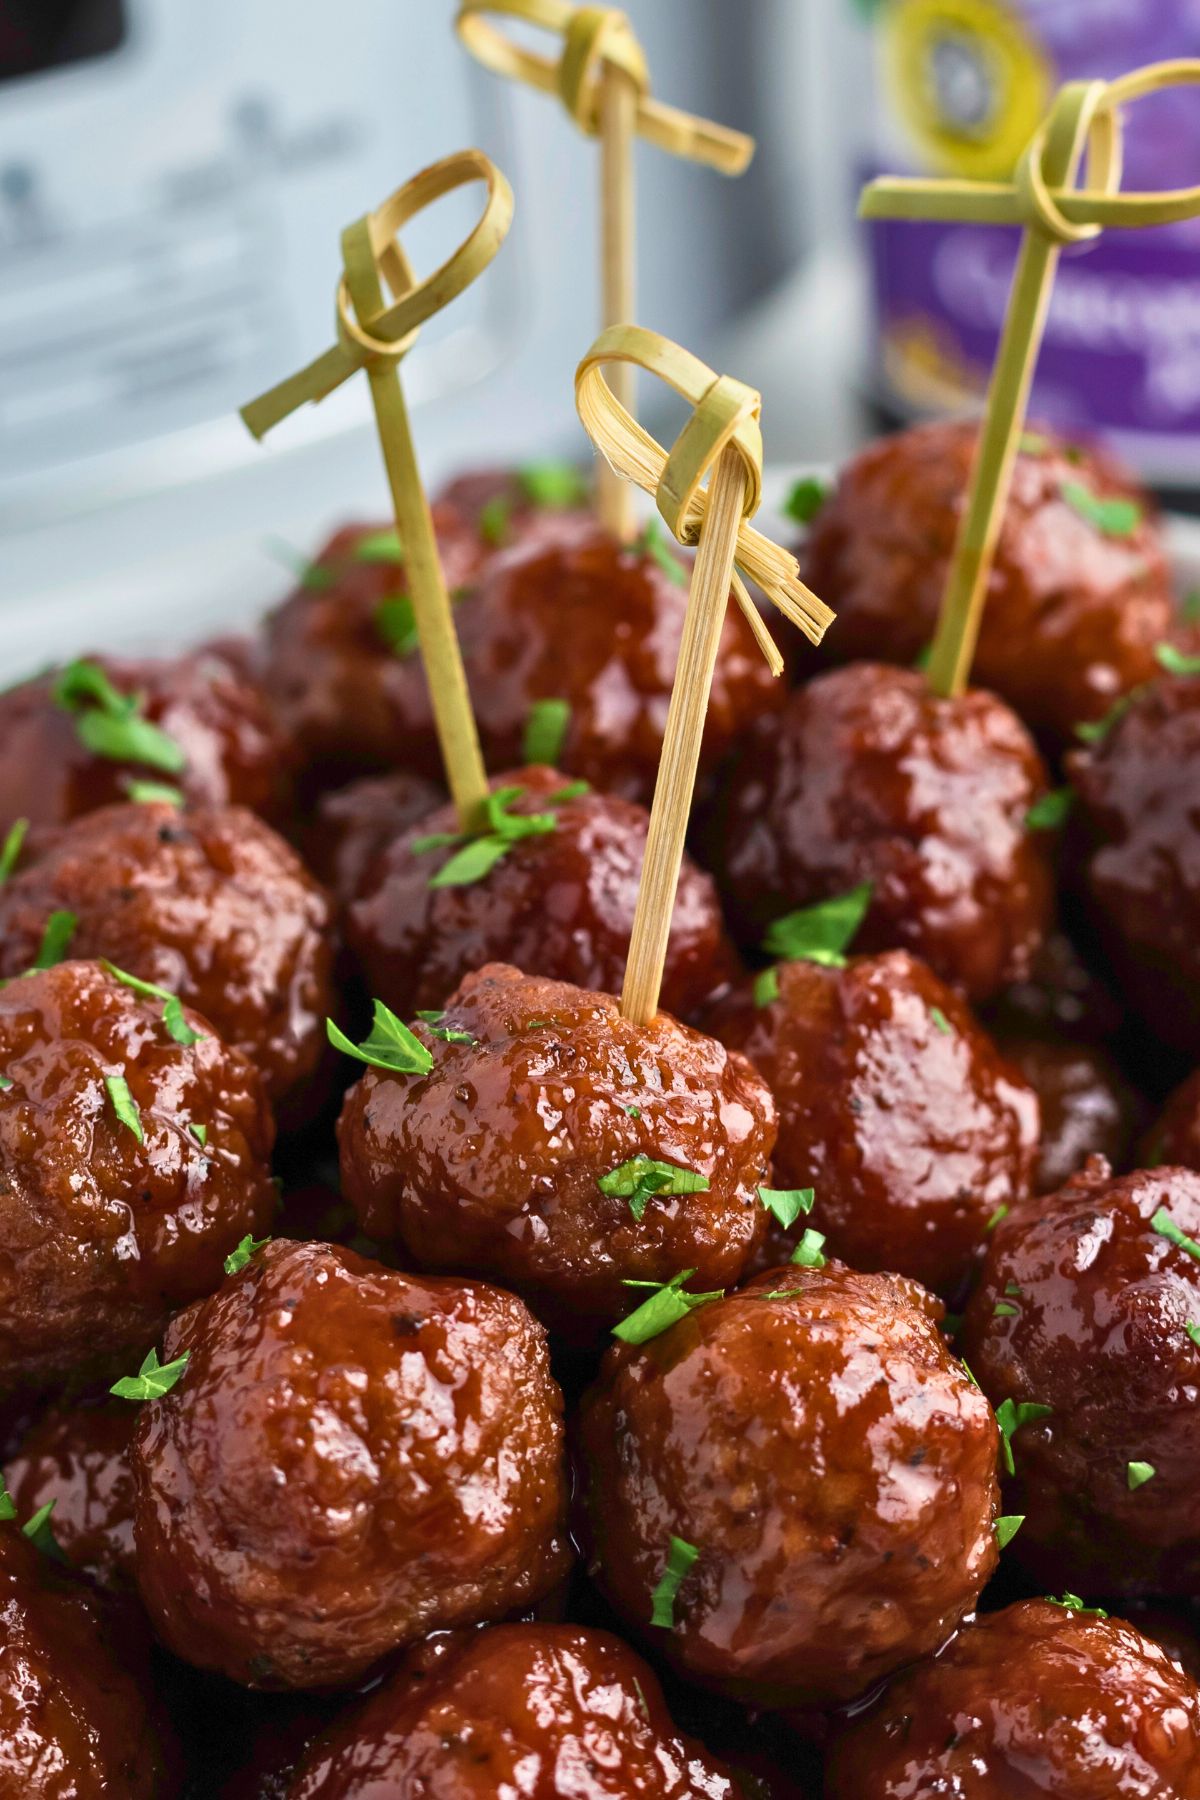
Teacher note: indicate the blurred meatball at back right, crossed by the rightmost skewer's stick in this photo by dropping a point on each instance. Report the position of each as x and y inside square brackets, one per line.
[1073, 611]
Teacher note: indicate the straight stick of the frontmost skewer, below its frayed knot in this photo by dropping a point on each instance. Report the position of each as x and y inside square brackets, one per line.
[681, 746]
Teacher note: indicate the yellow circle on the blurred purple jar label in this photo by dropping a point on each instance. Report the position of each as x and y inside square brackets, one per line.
[969, 82]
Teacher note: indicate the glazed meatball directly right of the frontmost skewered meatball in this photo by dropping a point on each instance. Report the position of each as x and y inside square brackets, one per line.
[893, 1106]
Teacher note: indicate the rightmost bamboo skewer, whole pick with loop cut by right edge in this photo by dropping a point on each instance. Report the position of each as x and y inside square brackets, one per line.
[1043, 199]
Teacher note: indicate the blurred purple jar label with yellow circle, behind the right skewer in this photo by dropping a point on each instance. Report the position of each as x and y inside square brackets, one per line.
[963, 85]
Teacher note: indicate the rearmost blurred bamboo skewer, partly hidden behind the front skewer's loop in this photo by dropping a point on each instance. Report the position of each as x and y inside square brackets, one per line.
[604, 82]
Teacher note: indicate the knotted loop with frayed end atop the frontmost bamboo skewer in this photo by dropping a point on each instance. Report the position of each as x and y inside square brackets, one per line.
[726, 417]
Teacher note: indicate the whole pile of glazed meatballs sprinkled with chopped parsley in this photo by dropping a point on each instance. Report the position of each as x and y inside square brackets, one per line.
[420, 1381]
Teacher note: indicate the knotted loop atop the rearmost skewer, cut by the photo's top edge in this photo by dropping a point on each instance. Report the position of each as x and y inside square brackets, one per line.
[593, 37]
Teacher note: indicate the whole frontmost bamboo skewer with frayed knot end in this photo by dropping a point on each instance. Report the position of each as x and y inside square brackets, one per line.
[722, 438]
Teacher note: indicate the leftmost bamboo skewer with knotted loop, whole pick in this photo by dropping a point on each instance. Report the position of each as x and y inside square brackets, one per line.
[375, 337]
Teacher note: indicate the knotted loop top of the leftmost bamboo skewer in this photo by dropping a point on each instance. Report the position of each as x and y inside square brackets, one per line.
[370, 251]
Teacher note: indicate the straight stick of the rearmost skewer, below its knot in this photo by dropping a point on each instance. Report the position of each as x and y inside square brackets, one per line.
[618, 107]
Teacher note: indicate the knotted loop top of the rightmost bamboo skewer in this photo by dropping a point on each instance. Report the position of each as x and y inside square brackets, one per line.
[1084, 114]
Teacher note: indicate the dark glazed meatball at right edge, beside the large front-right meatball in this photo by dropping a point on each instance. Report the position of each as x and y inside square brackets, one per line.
[1086, 1308]
